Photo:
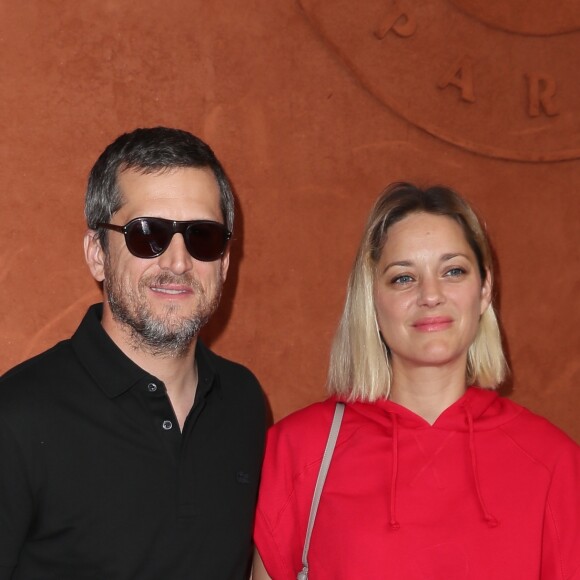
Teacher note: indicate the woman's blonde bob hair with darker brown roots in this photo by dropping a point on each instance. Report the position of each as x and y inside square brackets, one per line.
[360, 366]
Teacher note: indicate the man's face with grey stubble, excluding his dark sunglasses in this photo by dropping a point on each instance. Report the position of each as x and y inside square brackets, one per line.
[160, 304]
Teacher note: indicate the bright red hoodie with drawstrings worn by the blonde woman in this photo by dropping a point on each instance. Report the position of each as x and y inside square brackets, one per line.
[490, 491]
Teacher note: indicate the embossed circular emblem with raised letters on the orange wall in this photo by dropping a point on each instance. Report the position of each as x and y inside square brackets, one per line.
[498, 78]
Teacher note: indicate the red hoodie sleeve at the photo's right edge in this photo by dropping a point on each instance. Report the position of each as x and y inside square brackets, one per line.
[561, 539]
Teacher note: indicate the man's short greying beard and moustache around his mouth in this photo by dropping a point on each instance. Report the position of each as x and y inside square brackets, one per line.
[167, 334]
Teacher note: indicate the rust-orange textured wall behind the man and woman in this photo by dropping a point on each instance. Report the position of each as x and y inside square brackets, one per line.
[314, 107]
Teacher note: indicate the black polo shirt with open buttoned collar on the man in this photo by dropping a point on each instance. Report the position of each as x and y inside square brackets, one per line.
[97, 481]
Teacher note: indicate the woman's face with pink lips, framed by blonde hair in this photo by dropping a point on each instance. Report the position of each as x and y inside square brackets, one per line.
[428, 293]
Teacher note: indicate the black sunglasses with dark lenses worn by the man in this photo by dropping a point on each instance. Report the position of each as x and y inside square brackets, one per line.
[205, 240]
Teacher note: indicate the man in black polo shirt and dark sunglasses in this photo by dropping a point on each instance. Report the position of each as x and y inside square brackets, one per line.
[131, 451]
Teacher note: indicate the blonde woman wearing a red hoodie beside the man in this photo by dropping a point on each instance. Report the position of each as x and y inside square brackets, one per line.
[433, 475]
